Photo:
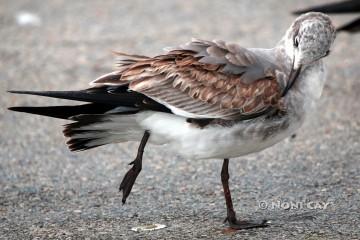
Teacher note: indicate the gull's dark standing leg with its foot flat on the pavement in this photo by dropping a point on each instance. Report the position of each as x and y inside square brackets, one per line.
[231, 215]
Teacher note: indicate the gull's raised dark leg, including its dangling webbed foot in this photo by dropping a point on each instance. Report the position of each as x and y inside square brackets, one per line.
[130, 177]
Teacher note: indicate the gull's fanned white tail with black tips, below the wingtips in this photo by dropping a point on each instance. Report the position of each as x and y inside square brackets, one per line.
[90, 131]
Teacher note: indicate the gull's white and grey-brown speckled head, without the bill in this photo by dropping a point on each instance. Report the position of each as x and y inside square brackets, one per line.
[309, 38]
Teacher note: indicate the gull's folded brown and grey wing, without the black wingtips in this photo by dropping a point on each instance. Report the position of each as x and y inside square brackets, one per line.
[202, 79]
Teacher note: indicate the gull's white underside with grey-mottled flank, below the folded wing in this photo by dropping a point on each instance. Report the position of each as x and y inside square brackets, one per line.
[223, 141]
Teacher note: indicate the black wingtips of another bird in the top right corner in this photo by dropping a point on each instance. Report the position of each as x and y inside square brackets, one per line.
[344, 7]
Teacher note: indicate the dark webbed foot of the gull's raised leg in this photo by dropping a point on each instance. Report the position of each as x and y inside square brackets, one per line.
[129, 179]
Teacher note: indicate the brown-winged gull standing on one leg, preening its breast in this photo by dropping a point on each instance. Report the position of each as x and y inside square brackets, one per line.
[201, 100]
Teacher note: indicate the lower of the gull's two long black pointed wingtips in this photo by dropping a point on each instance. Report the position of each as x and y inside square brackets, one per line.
[65, 112]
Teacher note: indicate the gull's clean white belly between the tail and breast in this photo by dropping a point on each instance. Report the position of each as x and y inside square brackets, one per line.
[212, 142]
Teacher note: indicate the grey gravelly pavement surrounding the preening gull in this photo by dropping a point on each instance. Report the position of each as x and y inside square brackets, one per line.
[49, 192]
